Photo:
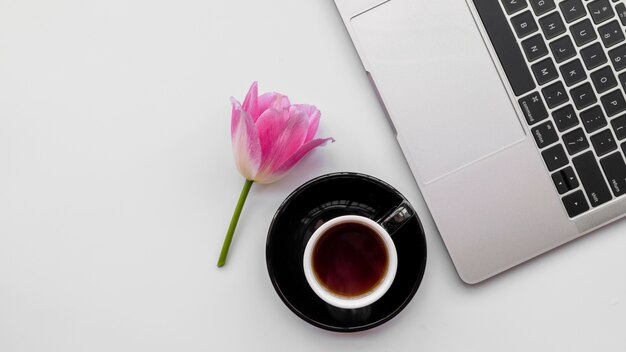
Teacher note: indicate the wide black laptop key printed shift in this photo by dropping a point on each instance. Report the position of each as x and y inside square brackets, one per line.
[592, 179]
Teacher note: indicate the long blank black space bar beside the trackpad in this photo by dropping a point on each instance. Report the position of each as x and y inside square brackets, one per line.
[506, 46]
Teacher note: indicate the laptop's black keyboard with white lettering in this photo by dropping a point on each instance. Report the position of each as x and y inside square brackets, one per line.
[566, 62]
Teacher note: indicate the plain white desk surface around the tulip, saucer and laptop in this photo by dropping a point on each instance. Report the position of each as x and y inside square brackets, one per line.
[117, 185]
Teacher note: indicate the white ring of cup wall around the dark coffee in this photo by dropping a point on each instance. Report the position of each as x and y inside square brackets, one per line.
[360, 301]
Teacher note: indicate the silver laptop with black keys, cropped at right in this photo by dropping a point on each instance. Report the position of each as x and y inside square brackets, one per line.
[510, 113]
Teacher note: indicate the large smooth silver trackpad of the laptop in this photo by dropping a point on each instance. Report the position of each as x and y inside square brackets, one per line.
[438, 83]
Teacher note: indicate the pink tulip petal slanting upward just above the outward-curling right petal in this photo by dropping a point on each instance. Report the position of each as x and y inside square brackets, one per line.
[291, 138]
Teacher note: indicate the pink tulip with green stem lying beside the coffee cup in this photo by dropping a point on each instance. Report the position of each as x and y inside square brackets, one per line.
[269, 136]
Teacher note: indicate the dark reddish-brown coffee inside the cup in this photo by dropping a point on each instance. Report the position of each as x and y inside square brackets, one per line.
[350, 260]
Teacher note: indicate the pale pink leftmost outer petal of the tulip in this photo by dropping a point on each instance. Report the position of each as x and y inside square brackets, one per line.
[245, 141]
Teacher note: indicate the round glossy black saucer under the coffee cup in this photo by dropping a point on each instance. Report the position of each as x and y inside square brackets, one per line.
[311, 205]
